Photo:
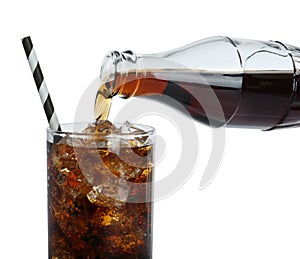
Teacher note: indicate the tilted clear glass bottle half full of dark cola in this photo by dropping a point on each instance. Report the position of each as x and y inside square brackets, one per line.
[219, 81]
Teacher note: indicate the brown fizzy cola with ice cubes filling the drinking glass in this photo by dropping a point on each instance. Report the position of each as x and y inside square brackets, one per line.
[86, 223]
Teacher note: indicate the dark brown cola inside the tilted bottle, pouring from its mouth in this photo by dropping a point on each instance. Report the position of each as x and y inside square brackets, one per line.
[237, 100]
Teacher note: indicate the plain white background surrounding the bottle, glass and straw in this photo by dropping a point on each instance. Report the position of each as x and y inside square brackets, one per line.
[250, 210]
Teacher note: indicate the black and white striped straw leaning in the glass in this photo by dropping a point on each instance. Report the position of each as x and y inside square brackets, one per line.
[40, 84]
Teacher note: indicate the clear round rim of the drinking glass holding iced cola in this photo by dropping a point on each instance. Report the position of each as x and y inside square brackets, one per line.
[146, 130]
